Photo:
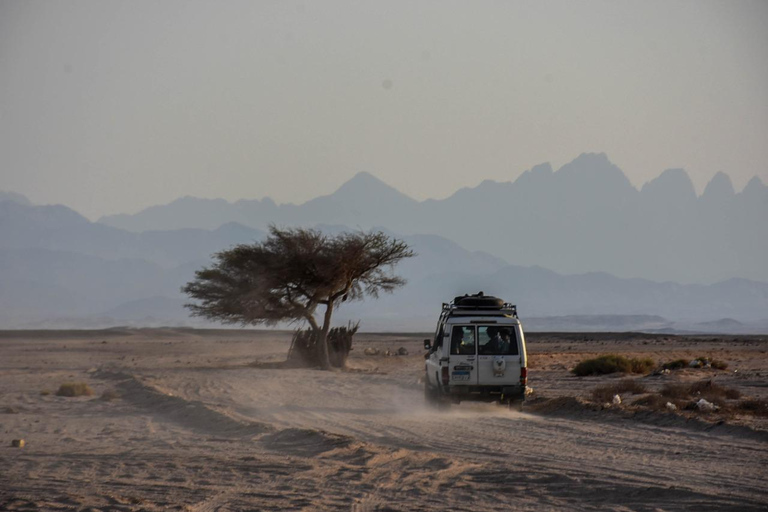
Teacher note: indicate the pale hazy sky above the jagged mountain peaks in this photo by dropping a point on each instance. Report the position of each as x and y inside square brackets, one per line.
[113, 106]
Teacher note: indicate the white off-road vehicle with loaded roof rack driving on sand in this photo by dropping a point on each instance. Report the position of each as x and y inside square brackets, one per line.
[478, 354]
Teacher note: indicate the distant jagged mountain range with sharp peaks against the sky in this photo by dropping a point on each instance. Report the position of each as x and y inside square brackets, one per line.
[584, 217]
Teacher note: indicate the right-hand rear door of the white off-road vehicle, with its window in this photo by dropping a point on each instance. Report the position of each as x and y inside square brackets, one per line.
[499, 358]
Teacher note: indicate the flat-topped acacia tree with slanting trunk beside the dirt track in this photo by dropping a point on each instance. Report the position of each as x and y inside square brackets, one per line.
[287, 276]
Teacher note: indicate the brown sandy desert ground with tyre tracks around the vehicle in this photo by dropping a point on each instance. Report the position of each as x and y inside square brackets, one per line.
[199, 427]
